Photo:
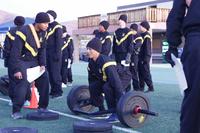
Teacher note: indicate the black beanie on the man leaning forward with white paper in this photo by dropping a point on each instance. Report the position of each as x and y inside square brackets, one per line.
[42, 17]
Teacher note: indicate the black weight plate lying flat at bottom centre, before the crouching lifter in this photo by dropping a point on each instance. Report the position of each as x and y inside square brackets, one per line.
[92, 126]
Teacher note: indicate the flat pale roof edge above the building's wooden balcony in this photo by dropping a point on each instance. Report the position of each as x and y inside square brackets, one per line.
[150, 3]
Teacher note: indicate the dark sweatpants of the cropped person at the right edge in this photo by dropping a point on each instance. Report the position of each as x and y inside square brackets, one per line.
[190, 117]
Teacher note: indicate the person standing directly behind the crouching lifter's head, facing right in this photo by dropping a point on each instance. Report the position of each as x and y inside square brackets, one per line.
[105, 37]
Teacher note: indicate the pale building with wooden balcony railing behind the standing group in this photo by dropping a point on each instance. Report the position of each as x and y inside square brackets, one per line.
[156, 12]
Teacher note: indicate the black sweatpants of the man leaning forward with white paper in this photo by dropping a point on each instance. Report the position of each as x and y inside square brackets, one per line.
[22, 86]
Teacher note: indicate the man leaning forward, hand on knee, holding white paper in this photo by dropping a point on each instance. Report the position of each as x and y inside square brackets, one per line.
[28, 52]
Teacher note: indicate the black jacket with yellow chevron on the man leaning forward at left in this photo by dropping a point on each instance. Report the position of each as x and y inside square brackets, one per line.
[25, 49]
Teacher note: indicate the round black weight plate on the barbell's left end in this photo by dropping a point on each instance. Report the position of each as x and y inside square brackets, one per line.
[77, 94]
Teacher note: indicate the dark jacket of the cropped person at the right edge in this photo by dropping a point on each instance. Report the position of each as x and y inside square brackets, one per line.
[180, 22]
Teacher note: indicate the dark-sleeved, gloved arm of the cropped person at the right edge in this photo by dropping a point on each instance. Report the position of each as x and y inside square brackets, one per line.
[174, 29]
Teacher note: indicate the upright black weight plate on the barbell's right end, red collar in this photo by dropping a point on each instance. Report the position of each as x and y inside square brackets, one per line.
[126, 106]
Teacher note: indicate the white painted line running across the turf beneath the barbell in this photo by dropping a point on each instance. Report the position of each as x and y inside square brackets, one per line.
[84, 119]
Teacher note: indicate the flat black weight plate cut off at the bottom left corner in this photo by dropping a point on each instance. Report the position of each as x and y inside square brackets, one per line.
[18, 130]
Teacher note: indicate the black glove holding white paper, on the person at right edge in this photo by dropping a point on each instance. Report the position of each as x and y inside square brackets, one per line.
[171, 50]
